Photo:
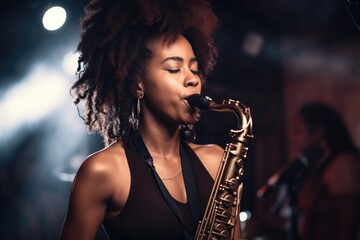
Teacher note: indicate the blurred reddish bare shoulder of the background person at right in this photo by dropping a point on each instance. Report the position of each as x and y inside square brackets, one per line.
[343, 174]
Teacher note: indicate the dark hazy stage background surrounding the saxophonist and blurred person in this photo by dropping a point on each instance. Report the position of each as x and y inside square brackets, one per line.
[274, 56]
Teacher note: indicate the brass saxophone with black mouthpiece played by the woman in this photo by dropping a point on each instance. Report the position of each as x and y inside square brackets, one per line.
[223, 206]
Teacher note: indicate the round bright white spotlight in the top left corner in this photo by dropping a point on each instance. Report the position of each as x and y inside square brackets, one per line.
[54, 18]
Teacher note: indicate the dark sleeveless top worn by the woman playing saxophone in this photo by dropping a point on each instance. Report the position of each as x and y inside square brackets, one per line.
[146, 215]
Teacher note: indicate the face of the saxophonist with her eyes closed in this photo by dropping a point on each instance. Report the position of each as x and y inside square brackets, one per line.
[170, 76]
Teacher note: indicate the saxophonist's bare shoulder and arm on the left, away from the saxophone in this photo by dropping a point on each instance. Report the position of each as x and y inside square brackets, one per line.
[95, 192]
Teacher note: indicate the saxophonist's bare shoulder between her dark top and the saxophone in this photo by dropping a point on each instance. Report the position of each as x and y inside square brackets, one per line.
[210, 156]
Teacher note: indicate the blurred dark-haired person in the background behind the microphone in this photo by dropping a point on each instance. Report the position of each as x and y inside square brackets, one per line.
[329, 201]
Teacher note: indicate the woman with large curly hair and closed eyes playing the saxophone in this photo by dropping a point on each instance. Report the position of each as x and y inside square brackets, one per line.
[141, 60]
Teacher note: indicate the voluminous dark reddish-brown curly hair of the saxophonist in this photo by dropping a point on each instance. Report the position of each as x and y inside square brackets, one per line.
[114, 35]
